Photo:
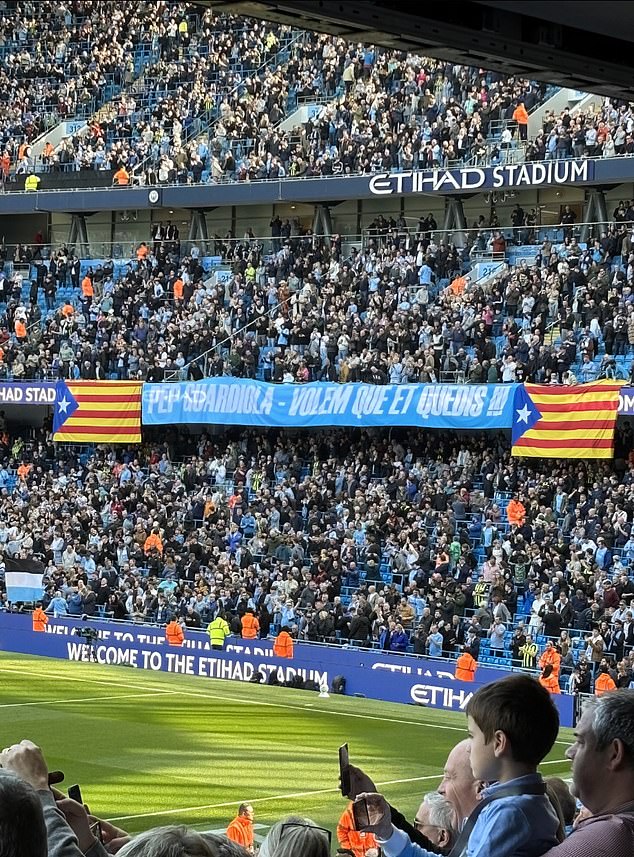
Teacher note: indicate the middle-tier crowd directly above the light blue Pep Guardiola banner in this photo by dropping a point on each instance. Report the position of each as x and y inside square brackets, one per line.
[398, 309]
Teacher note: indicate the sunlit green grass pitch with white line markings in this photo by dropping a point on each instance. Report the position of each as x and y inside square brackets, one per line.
[150, 749]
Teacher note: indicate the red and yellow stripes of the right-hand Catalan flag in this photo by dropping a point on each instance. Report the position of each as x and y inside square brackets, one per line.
[576, 422]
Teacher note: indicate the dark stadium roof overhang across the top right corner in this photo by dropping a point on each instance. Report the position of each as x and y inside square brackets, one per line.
[583, 46]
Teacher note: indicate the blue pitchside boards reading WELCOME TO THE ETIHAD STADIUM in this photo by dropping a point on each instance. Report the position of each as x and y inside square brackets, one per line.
[380, 675]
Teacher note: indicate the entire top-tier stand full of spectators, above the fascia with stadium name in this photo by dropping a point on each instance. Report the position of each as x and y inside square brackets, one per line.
[256, 101]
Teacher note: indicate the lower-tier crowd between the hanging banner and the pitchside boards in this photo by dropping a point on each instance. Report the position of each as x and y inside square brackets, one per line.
[406, 543]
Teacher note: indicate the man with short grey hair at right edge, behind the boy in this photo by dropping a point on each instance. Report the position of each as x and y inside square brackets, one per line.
[603, 779]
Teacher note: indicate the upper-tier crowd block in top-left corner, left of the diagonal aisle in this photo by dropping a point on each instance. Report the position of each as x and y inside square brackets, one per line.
[65, 60]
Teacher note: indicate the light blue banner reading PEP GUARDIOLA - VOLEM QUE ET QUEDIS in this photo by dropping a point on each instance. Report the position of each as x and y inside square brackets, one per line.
[239, 401]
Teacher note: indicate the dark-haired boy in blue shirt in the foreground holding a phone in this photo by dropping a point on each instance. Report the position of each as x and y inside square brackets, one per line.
[513, 724]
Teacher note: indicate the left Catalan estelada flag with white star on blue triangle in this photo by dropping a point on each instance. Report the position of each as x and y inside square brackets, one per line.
[97, 412]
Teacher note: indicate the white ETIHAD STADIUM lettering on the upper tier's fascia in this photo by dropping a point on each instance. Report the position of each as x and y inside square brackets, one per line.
[483, 178]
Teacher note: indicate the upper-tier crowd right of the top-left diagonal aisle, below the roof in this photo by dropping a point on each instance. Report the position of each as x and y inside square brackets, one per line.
[210, 109]
